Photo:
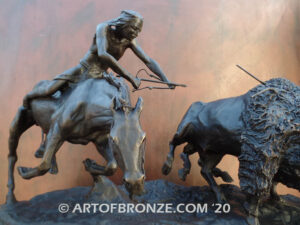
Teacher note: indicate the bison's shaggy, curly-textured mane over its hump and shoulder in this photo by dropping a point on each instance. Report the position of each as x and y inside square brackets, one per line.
[271, 117]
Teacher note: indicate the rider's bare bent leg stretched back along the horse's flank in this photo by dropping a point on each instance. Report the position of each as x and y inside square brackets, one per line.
[43, 91]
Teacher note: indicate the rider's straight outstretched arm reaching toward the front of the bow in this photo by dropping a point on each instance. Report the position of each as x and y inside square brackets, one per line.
[150, 63]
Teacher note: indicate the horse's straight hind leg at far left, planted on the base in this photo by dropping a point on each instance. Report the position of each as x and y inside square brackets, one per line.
[22, 121]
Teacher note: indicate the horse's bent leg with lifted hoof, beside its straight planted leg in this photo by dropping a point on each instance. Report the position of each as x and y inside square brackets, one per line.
[53, 143]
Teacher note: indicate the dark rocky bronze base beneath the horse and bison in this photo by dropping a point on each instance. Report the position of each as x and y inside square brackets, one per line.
[43, 209]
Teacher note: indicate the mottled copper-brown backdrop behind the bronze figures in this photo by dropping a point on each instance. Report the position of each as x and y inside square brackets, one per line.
[195, 42]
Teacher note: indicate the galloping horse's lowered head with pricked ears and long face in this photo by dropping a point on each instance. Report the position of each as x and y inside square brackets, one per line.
[127, 140]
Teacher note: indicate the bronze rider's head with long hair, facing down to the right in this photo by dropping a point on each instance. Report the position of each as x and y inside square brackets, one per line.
[129, 23]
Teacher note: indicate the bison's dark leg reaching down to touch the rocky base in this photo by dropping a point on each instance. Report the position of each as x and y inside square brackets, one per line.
[208, 161]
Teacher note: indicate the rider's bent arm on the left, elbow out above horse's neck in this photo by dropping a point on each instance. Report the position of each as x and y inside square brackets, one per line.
[101, 40]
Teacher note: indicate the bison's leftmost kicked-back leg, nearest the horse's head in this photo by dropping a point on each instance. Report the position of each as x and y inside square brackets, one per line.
[179, 138]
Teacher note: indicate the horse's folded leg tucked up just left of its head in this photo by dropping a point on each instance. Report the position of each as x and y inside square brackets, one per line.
[95, 169]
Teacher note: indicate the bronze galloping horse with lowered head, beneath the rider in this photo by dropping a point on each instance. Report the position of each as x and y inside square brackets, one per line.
[92, 111]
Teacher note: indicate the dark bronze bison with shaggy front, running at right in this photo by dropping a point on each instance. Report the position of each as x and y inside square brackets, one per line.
[260, 127]
